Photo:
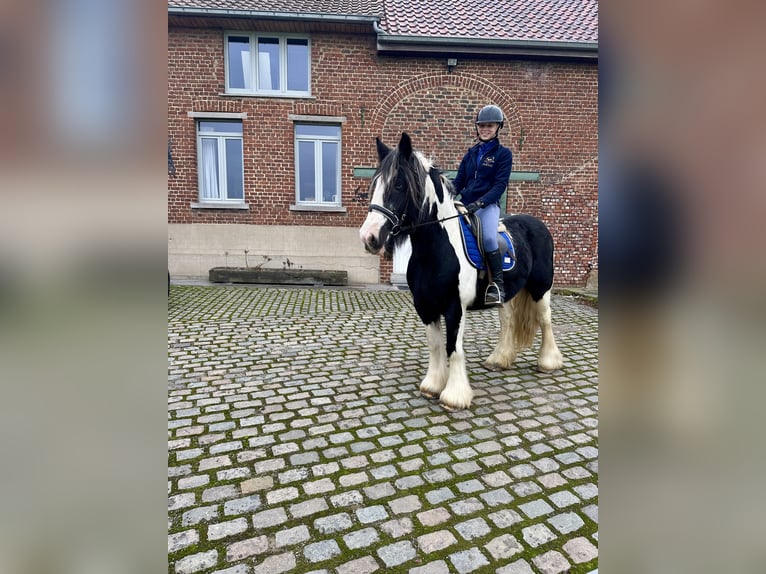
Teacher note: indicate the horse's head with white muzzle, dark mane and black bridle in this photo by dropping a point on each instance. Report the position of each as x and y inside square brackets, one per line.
[396, 196]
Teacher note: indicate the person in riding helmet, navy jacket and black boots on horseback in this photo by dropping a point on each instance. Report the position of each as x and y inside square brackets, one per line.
[481, 180]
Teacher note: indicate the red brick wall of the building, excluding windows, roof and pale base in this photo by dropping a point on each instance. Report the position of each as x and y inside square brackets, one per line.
[552, 129]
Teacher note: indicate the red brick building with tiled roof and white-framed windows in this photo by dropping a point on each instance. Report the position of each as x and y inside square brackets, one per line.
[273, 108]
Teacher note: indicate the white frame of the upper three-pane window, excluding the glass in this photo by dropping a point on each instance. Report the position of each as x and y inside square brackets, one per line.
[253, 68]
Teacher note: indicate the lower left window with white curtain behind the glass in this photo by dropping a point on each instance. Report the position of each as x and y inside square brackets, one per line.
[219, 153]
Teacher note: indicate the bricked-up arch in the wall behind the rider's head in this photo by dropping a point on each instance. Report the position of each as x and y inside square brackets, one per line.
[441, 107]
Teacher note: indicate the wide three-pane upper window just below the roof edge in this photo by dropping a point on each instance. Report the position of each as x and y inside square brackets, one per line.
[267, 65]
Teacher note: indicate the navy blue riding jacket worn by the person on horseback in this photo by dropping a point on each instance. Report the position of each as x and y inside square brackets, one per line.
[484, 176]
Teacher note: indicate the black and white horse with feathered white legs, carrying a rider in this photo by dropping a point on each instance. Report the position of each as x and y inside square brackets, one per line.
[410, 197]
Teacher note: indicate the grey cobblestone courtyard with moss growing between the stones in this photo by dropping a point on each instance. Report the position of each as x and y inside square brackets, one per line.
[298, 441]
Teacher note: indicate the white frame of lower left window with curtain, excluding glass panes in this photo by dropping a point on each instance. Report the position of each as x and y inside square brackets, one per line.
[224, 201]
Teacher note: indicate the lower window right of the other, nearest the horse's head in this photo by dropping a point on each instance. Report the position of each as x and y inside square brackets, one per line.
[317, 165]
